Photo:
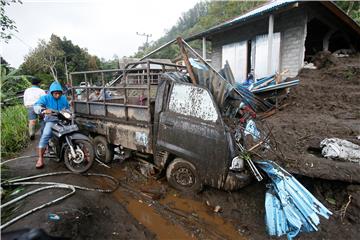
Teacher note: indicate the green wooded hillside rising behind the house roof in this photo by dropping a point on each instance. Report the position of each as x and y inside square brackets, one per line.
[200, 18]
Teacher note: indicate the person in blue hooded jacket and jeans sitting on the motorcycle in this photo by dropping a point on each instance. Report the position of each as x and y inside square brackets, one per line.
[53, 101]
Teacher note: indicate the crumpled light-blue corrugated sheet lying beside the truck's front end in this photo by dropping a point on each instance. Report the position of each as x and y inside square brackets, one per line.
[290, 207]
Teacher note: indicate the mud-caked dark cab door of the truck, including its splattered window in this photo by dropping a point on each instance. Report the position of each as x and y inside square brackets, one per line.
[192, 128]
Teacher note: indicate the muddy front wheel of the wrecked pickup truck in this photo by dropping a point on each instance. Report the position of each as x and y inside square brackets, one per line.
[183, 176]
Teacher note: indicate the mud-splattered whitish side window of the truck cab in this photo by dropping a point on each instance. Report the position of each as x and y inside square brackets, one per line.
[192, 101]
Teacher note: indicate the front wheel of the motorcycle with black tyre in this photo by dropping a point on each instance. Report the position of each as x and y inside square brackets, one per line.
[84, 158]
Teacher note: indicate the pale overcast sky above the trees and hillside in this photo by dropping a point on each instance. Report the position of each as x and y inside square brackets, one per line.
[104, 27]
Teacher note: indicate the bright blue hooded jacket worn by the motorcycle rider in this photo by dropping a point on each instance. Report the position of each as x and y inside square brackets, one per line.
[49, 102]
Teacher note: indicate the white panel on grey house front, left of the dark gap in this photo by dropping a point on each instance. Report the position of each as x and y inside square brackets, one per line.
[236, 55]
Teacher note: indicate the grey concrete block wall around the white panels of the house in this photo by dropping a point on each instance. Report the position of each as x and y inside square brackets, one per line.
[292, 27]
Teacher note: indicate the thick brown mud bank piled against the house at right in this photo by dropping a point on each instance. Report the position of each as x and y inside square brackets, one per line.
[326, 104]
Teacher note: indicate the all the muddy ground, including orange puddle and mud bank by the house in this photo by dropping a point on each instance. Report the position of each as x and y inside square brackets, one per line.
[325, 104]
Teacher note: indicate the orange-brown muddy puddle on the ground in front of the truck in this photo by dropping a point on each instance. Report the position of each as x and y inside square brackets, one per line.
[166, 213]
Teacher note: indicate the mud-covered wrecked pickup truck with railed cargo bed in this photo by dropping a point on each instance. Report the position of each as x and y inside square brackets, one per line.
[152, 108]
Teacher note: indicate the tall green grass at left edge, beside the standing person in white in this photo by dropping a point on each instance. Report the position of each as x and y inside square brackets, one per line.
[14, 130]
